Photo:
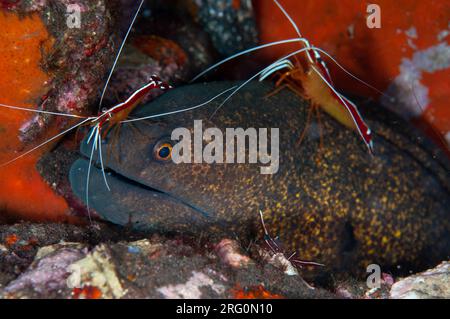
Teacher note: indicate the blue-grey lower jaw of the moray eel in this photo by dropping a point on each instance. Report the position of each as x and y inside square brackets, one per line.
[130, 201]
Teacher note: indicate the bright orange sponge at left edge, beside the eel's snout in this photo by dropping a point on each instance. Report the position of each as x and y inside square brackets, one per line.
[23, 193]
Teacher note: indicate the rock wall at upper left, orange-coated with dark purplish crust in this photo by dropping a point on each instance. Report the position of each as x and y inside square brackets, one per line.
[50, 66]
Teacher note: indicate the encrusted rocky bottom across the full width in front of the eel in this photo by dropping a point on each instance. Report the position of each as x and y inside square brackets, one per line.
[67, 261]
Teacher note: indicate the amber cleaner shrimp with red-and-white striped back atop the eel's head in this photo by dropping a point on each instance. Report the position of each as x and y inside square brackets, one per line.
[311, 79]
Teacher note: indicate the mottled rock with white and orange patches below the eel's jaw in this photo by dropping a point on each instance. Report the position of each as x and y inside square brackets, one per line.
[141, 267]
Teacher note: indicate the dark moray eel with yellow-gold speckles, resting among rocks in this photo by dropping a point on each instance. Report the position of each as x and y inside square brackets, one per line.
[330, 201]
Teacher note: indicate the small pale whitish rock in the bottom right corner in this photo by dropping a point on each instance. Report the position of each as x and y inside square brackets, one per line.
[432, 283]
